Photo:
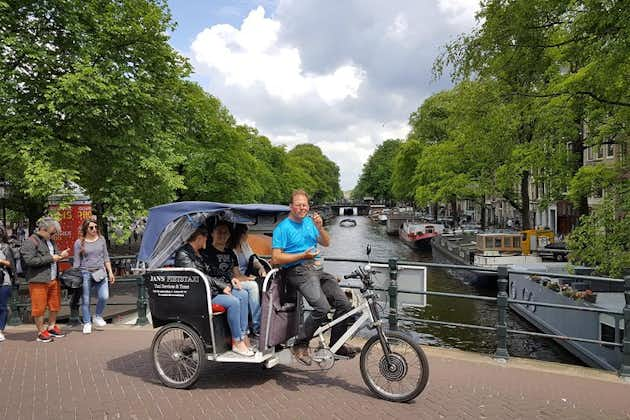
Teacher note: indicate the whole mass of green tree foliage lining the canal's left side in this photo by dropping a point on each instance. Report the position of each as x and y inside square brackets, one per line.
[92, 92]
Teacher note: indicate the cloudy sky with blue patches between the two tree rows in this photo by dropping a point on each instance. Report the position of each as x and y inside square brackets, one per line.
[341, 74]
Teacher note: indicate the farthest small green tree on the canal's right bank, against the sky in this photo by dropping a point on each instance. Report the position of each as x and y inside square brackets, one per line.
[376, 177]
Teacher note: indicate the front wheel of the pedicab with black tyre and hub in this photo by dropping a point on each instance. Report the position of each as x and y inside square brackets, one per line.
[399, 376]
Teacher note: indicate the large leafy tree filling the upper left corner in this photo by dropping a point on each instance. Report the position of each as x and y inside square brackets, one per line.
[87, 96]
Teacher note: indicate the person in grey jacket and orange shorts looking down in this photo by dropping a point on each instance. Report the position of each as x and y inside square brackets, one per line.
[40, 256]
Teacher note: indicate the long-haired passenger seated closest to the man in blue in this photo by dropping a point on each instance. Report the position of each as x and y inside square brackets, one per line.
[246, 271]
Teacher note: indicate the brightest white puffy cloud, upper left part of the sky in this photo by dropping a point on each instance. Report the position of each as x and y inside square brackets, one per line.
[252, 54]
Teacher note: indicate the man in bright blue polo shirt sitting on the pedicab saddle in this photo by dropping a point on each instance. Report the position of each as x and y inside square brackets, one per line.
[294, 248]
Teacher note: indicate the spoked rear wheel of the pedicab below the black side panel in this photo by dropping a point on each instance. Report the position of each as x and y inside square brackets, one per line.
[178, 355]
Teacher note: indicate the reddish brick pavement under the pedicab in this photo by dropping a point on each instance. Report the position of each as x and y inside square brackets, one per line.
[108, 375]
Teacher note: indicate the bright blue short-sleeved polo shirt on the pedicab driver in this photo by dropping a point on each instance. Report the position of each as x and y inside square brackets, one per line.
[295, 237]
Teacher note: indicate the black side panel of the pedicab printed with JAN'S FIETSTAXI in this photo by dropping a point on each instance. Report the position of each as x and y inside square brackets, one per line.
[181, 295]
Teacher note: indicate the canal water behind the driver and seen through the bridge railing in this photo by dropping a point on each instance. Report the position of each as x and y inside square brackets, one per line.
[350, 242]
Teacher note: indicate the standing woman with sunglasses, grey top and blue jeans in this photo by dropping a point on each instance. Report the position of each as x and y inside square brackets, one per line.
[91, 256]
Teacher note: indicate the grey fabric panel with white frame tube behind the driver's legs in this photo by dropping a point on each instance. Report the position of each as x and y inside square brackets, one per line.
[279, 319]
